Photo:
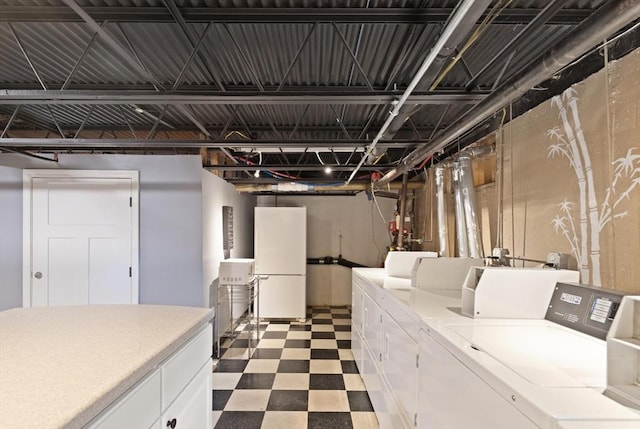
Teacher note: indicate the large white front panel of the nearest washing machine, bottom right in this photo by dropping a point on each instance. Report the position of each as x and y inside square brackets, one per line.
[454, 397]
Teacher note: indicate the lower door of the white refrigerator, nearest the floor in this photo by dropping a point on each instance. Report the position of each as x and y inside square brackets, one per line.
[282, 297]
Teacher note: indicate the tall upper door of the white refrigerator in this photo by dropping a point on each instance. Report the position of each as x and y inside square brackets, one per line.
[281, 240]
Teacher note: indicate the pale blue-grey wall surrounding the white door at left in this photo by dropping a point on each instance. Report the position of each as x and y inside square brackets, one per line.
[171, 263]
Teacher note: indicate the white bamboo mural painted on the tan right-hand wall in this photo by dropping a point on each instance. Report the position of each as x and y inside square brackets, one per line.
[582, 227]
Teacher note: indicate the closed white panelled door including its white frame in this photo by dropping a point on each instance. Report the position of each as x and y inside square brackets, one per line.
[81, 233]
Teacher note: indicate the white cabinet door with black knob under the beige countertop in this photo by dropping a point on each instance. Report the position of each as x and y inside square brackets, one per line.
[192, 407]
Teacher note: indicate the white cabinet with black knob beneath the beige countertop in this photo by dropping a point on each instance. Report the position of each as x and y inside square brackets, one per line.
[175, 394]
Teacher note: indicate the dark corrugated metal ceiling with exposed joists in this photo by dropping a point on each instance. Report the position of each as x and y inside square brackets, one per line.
[249, 54]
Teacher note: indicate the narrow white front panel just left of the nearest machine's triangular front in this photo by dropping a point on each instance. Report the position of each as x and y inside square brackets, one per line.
[400, 367]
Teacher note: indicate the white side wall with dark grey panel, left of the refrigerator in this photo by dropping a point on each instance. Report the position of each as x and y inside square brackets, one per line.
[215, 194]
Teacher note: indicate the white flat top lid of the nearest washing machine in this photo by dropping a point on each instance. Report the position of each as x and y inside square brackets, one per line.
[544, 354]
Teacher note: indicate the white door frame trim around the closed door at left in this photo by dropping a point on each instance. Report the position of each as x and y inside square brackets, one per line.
[27, 177]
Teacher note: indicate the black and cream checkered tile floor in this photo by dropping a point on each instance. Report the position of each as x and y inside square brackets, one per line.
[301, 375]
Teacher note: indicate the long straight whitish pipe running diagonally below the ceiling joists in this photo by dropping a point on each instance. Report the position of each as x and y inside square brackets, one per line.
[456, 19]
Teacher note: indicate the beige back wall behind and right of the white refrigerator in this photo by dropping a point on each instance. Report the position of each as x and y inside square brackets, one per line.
[364, 239]
